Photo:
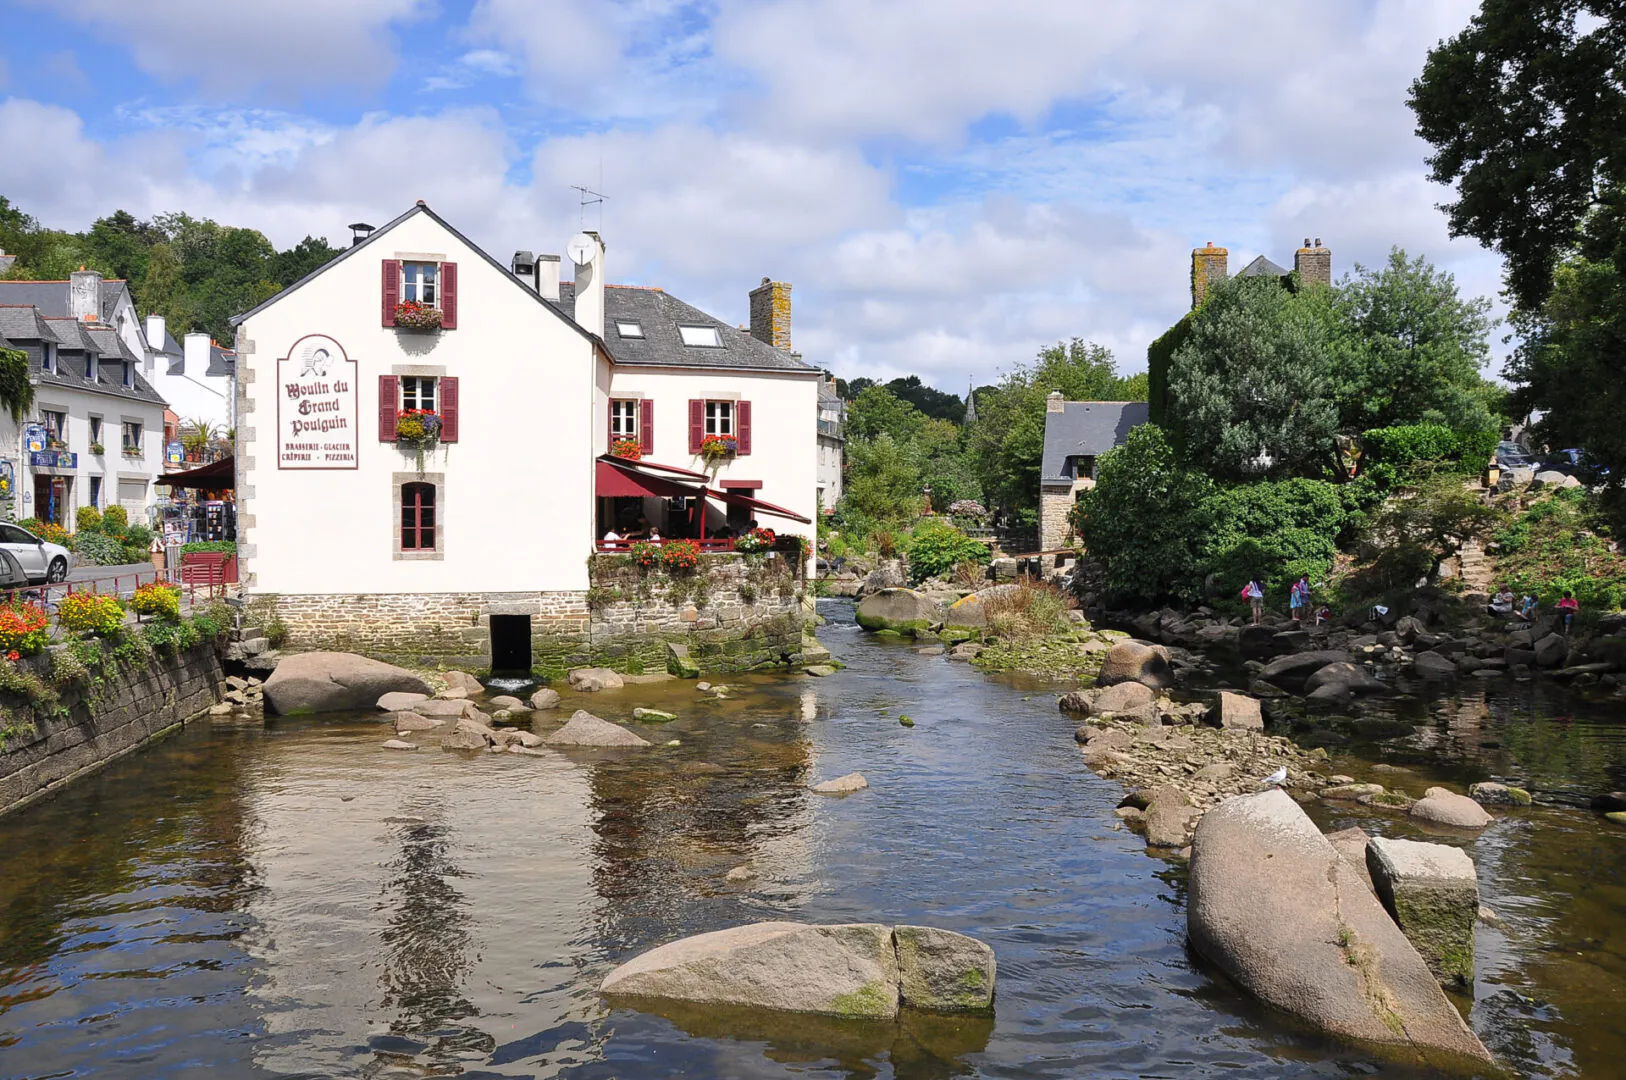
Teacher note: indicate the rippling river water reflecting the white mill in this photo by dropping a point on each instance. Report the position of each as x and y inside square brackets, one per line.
[292, 900]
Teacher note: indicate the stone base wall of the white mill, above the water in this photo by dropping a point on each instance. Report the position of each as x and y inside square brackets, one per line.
[733, 614]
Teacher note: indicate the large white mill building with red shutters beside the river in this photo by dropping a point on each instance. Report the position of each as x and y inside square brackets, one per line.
[479, 542]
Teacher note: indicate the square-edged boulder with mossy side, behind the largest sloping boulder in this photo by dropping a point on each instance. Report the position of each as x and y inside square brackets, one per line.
[1433, 894]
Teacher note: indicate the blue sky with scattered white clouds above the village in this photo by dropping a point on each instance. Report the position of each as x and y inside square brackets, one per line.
[949, 185]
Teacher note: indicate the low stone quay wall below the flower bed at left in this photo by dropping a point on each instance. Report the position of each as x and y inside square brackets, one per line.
[97, 725]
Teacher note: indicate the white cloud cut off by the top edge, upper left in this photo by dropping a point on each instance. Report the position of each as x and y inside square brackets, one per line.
[233, 51]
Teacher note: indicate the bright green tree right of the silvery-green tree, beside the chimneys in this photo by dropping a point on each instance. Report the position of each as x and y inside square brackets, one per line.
[1409, 349]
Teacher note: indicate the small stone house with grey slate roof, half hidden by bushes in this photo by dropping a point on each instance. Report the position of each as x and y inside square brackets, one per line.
[1076, 435]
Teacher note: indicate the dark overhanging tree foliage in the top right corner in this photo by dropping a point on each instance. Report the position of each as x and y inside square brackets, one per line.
[1524, 111]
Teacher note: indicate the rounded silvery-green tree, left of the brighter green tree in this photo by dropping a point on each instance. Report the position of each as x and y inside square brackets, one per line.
[1251, 391]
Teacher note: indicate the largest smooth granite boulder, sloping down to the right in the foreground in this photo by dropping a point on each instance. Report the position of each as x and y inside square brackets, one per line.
[1279, 912]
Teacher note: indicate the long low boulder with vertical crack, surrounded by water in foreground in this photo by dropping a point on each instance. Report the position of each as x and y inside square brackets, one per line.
[858, 970]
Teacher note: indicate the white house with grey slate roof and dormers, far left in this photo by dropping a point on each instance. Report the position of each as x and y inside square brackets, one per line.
[103, 422]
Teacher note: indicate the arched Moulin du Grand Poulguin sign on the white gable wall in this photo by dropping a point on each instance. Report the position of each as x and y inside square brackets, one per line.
[316, 406]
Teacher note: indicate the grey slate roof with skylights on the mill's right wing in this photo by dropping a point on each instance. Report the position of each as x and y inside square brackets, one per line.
[661, 315]
